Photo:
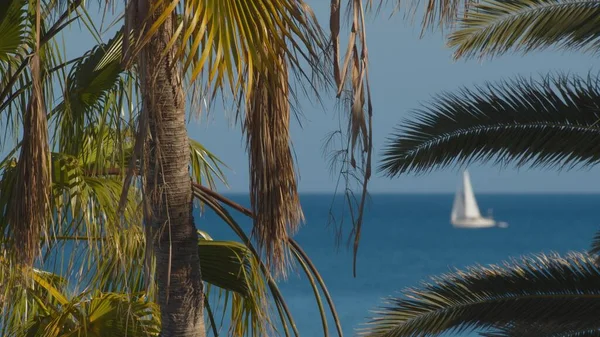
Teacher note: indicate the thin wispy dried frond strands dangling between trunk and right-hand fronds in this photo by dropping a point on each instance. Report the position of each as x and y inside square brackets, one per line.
[352, 80]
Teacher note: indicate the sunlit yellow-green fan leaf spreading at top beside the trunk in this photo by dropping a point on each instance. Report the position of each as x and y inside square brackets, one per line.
[225, 38]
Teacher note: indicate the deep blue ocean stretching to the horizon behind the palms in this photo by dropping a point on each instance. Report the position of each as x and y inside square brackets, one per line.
[408, 238]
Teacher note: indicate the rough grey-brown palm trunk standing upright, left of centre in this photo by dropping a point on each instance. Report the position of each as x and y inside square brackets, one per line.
[168, 188]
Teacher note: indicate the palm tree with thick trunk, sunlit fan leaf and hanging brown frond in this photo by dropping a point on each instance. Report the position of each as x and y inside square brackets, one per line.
[215, 39]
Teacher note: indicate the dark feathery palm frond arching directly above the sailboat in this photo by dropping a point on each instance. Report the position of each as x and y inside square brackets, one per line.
[548, 122]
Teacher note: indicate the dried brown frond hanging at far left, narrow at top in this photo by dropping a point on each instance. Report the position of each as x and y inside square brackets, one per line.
[31, 195]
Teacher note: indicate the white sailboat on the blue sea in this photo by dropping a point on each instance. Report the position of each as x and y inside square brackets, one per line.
[465, 212]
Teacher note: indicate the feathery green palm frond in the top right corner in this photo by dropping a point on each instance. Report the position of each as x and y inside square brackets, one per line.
[495, 27]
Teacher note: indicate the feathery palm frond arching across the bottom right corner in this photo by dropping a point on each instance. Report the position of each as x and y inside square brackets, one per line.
[534, 290]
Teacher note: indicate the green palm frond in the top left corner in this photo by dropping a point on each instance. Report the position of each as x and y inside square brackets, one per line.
[18, 26]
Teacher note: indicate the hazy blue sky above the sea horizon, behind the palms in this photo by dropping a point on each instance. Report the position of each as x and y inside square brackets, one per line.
[405, 71]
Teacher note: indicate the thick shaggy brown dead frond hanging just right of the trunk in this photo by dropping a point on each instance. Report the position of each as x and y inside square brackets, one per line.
[273, 190]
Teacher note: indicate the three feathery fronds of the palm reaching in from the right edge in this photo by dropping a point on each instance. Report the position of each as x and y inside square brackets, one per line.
[549, 122]
